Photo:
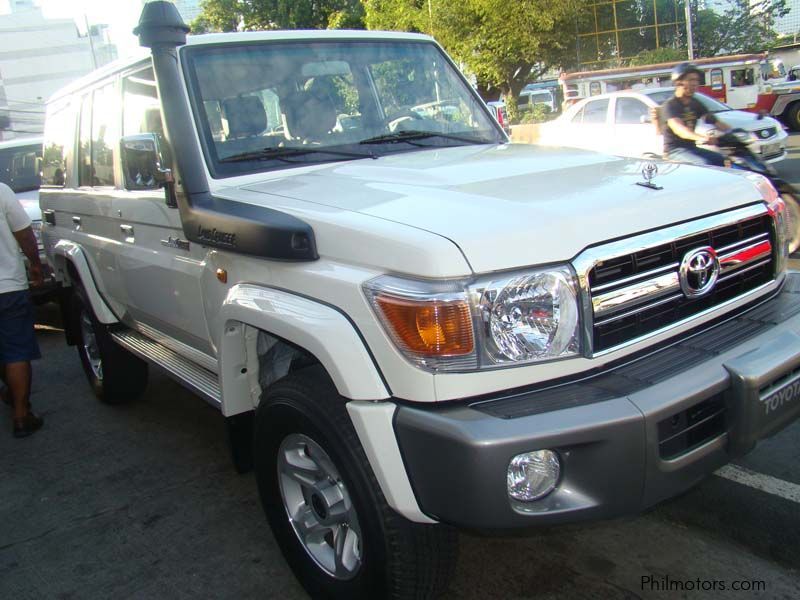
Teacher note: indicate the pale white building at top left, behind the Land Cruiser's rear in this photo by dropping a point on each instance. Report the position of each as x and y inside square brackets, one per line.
[37, 57]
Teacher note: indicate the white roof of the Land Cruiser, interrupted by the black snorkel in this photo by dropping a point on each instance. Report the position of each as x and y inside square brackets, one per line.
[141, 54]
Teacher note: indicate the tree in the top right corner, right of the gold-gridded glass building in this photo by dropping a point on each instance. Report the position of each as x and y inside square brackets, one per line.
[738, 26]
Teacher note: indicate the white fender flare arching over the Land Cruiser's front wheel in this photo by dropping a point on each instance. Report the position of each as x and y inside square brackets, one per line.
[317, 328]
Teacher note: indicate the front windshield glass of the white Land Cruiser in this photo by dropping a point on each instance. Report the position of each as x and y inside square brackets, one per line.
[275, 105]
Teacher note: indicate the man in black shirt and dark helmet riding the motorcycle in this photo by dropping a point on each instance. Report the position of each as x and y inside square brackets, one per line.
[681, 113]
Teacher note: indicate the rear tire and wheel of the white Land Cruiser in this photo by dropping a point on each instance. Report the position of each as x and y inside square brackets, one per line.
[115, 375]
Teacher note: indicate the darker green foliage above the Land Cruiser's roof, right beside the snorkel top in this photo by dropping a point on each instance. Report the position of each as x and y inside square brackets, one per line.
[253, 15]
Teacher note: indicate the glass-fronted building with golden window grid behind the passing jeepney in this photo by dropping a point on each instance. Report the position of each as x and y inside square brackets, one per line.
[611, 31]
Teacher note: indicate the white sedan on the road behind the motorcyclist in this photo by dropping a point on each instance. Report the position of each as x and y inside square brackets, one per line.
[619, 123]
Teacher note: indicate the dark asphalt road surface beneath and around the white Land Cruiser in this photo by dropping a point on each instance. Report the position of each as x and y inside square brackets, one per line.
[140, 501]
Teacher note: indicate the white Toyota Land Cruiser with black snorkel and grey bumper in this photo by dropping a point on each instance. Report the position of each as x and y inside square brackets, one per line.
[410, 325]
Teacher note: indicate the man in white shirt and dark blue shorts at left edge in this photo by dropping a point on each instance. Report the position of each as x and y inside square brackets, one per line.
[18, 345]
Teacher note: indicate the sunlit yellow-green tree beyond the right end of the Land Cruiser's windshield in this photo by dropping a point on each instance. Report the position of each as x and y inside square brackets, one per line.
[504, 44]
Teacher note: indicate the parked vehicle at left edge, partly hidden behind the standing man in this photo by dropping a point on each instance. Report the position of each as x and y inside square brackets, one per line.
[20, 160]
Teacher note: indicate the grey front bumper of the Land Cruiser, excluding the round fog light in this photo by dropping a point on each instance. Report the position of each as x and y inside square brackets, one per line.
[627, 439]
